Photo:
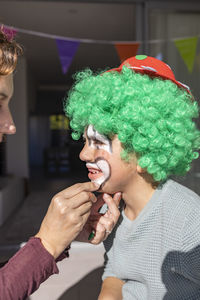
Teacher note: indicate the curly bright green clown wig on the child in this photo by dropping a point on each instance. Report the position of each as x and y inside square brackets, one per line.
[152, 118]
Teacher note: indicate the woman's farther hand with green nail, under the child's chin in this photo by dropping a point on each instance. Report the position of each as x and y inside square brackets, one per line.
[98, 226]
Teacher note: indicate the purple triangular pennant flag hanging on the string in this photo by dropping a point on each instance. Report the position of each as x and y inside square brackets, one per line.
[66, 50]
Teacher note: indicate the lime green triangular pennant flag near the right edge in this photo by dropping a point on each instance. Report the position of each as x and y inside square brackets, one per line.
[187, 49]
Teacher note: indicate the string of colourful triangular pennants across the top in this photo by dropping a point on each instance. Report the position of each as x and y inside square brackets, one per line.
[67, 47]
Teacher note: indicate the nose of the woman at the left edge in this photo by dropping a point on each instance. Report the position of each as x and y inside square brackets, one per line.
[7, 125]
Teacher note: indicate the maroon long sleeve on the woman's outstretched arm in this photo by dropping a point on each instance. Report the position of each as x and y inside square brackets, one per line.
[26, 270]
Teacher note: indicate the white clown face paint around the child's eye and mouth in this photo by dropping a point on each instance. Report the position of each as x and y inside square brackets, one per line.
[99, 171]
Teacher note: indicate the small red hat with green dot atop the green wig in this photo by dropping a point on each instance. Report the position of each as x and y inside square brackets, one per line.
[151, 66]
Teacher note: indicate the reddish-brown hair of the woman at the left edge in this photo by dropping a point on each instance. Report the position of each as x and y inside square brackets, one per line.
[9, 52]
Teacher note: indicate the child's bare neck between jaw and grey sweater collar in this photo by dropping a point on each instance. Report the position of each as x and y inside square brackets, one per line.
[136, 196]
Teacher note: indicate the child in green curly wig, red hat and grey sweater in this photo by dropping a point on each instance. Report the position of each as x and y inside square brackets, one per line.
[137, 122]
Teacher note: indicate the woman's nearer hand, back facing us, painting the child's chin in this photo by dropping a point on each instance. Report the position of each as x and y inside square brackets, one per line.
[66, 216]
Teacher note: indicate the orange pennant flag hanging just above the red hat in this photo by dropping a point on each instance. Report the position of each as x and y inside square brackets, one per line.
[126, 50]
